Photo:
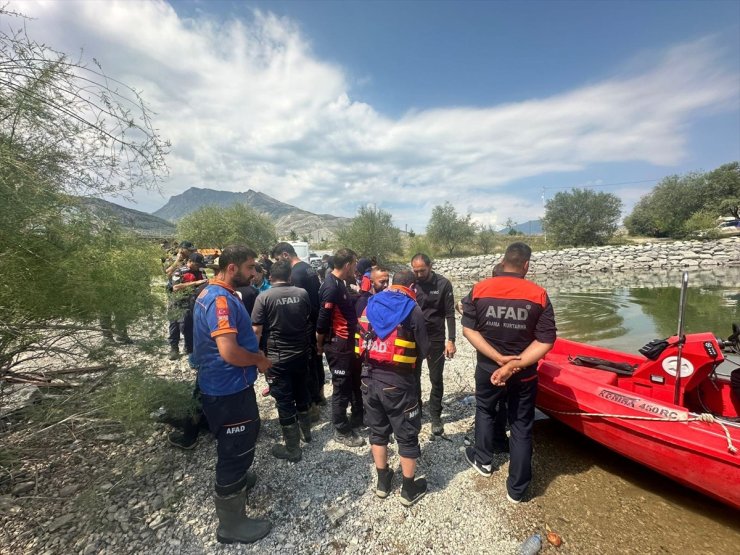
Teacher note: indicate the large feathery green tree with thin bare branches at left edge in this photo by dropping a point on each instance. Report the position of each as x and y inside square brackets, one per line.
[67, 129]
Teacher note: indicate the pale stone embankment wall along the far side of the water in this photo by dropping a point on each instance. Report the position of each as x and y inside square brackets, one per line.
[648, 256]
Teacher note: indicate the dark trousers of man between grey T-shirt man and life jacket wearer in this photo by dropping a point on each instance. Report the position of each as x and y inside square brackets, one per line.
[340, 354]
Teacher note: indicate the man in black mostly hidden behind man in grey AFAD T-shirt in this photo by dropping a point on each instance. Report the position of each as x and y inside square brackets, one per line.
[304, 276]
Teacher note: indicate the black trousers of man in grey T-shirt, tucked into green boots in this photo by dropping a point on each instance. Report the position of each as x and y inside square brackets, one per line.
[288, 387]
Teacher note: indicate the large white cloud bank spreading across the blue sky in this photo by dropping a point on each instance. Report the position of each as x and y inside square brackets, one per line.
[248, 105]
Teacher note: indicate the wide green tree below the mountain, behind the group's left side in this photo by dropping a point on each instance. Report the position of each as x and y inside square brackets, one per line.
[218, 227]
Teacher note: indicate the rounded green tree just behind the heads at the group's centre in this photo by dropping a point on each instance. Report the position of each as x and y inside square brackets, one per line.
[371, 233]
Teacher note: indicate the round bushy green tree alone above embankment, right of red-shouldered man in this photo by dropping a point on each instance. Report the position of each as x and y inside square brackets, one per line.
[582, 217]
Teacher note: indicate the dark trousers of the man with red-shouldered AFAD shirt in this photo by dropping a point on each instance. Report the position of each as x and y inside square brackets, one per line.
[520, 392]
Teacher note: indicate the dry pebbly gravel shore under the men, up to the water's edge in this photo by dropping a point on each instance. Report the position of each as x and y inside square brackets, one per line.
[119, 493]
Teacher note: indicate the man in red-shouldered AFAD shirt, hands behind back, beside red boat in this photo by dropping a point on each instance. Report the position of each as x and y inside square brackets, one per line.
[511, 323]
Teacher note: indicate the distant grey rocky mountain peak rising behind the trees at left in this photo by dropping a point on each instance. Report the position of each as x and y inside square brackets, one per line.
[286, 217]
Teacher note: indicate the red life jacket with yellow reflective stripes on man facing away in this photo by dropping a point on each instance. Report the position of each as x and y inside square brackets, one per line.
[398, 349]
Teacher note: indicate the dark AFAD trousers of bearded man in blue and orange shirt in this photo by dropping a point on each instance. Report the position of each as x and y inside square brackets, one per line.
[234, 421]
